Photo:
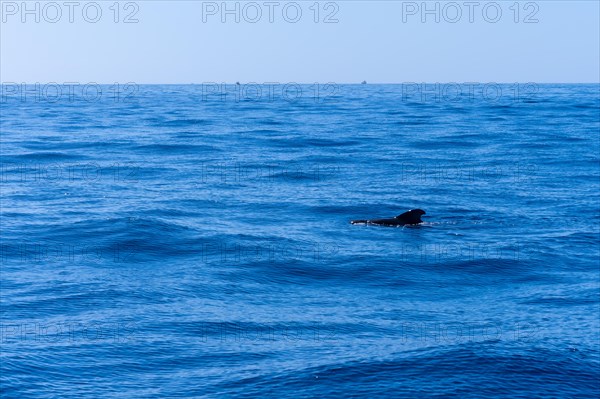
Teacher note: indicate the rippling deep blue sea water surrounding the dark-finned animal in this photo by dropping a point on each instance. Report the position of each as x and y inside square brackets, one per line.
[173, 241]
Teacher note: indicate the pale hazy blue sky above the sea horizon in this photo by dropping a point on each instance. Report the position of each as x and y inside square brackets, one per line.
[377, 41]
